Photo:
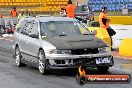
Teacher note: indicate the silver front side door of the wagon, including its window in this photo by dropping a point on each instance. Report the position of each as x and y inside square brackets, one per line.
[34, 43]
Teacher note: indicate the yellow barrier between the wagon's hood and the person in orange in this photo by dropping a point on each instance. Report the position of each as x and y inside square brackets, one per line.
[102, 34]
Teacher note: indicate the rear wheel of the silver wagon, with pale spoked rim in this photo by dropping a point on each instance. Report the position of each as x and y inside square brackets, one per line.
[18, 57]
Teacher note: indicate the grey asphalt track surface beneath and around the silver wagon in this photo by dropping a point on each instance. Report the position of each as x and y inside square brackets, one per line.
[12, 76]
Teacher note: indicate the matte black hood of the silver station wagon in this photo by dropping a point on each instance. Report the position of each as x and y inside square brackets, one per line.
[76, 42]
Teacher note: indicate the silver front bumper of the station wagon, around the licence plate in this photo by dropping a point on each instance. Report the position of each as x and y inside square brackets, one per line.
[74, 61]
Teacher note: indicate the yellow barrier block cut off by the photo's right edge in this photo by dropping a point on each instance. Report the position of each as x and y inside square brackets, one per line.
[125, 48]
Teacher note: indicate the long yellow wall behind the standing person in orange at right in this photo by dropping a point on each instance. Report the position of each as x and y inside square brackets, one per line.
[126, 20]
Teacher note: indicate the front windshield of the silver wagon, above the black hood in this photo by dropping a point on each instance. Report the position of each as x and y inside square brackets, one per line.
[62, 28]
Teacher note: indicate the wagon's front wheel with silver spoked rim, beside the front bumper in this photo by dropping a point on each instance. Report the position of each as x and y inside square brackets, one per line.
[41, 62]
